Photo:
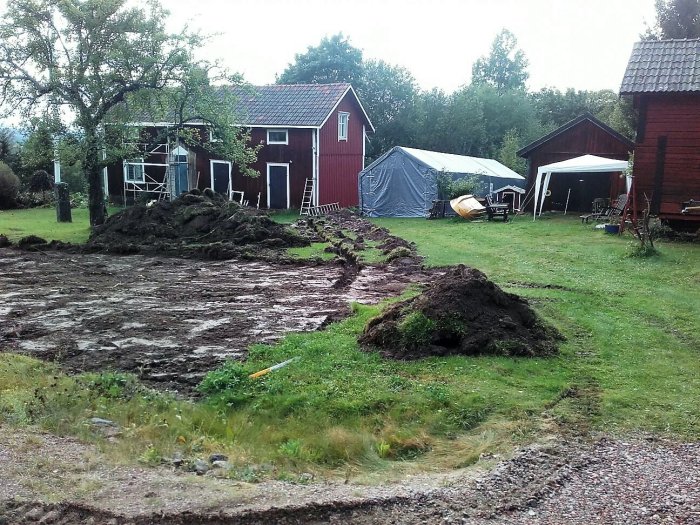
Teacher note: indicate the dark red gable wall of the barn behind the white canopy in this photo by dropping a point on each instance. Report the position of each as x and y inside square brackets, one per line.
[584, 138]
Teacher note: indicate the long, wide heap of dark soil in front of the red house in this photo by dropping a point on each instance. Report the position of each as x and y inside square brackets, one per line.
[196, 223]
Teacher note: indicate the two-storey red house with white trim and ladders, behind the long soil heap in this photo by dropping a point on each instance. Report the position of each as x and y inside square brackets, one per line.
[307, 131]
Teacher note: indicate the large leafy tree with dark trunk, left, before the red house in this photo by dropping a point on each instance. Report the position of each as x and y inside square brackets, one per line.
[88, 57]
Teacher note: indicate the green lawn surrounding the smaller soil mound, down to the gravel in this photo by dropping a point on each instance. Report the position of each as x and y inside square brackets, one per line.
[631, 362]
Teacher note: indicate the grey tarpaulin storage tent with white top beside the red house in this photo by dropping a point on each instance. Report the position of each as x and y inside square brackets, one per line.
[403, 181]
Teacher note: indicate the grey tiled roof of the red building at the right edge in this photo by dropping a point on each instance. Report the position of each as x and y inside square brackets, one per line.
[663, 66]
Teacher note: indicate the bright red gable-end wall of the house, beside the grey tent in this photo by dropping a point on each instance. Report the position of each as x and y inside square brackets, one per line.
[341, 161]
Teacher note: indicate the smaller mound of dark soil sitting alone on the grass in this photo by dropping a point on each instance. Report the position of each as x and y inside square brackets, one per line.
[464, 313]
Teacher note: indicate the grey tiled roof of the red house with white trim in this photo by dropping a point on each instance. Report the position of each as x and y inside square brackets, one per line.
[288, 104]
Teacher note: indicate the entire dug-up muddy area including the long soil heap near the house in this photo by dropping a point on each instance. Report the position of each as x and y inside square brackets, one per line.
[170, 320]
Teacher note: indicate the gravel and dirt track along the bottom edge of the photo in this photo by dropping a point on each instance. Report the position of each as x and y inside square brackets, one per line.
[609, 481]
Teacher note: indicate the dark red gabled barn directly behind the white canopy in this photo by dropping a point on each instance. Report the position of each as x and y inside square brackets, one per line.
[583, 135]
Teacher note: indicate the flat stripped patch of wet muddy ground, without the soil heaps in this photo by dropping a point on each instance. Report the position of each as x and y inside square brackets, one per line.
[169, 320]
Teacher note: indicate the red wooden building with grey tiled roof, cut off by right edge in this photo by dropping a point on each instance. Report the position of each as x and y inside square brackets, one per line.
[664, 80]
